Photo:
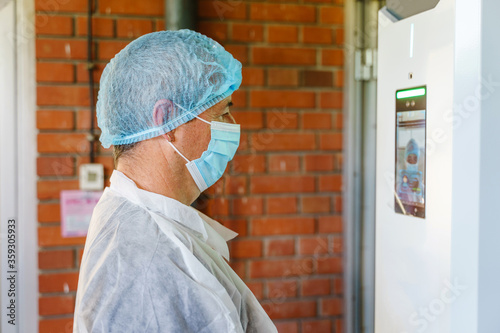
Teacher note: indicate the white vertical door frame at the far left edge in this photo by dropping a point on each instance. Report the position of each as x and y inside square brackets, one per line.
[18, 150]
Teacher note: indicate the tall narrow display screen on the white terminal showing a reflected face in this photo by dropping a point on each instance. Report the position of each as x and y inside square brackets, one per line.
[410, 151]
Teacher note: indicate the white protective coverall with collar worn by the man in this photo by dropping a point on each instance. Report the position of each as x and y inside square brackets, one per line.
[153, 264]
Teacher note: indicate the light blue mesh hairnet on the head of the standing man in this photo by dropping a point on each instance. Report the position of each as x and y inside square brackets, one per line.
[185, 67]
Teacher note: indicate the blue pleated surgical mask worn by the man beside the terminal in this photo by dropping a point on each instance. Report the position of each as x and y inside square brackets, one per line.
[210, 167]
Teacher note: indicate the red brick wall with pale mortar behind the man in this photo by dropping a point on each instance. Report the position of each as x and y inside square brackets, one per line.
[282, 193]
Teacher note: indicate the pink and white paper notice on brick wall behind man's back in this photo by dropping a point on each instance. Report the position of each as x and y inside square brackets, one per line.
[76, 211]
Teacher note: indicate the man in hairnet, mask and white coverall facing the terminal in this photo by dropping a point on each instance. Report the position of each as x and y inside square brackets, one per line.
[151, 262]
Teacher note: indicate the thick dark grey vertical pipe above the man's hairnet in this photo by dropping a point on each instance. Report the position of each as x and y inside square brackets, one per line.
[180, 14]
